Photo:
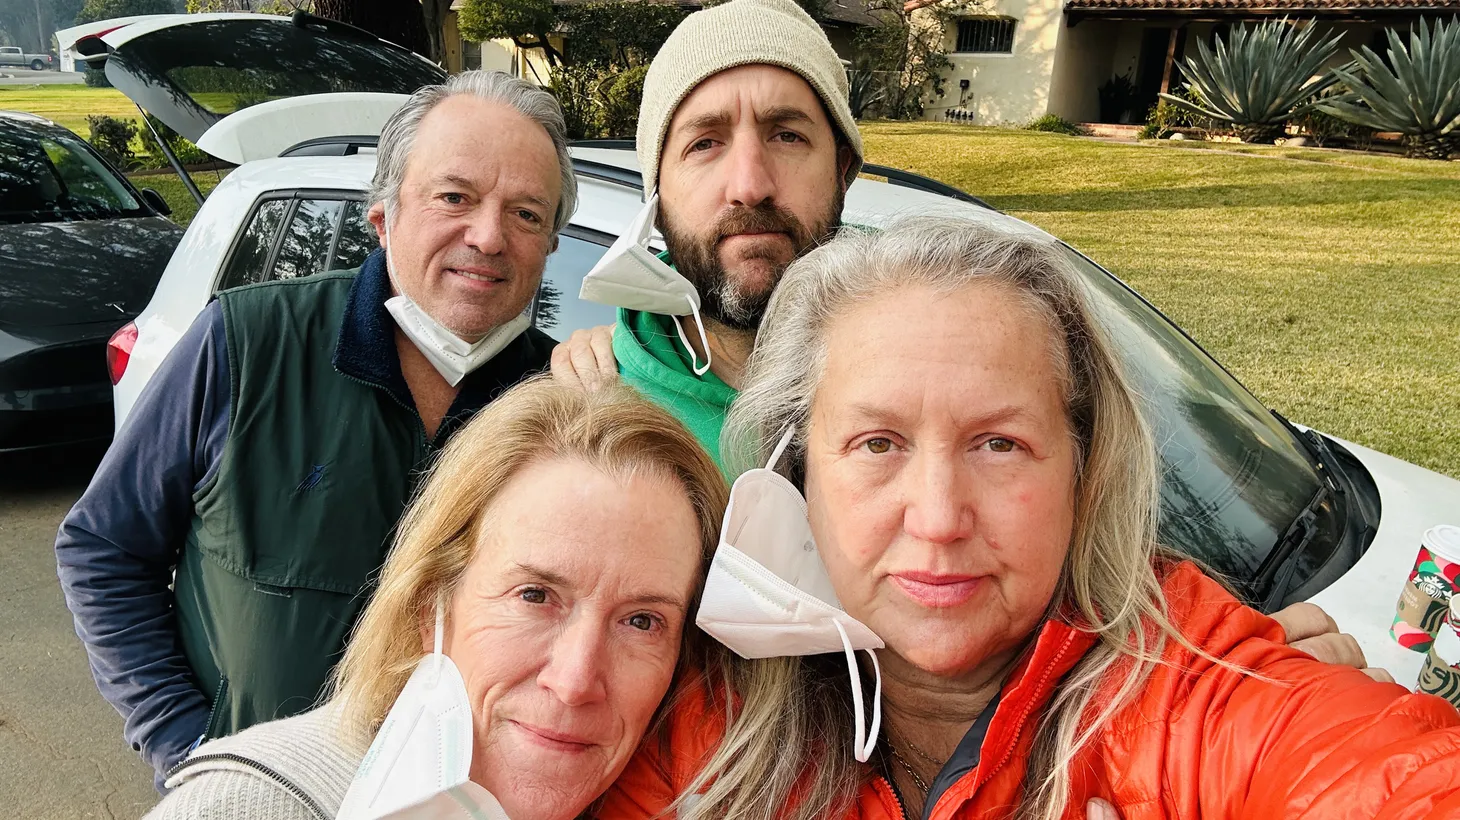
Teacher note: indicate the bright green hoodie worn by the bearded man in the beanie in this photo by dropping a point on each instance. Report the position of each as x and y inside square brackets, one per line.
[653, 361]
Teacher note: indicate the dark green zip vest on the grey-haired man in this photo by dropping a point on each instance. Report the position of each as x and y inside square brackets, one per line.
[290, 532]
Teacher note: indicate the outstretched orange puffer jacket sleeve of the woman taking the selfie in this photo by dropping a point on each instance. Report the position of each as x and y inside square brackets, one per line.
[1296, 739]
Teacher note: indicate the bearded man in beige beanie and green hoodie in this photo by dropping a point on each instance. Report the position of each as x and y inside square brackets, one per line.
[747, 136]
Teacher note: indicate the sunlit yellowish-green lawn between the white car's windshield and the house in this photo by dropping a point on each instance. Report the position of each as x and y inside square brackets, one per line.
[1328, 282]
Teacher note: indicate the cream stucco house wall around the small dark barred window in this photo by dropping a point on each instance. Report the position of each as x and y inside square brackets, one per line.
[1007, 88]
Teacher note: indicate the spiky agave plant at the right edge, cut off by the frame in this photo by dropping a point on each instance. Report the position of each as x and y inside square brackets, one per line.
[1420, 97]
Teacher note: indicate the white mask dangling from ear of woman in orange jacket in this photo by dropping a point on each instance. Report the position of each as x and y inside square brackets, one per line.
[769, 595]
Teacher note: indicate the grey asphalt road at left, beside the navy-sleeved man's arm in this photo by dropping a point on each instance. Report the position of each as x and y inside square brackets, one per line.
[61, 745]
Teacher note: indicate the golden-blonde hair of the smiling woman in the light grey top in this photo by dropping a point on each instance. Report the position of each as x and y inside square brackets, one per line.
[612, 430]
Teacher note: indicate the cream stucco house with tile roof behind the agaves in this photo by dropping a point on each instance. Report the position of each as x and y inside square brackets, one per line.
[1015, 61]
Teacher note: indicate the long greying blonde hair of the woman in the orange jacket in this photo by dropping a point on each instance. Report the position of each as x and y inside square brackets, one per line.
[786, 713]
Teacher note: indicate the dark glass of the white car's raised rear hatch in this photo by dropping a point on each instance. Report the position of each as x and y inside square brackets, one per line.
[193, 75]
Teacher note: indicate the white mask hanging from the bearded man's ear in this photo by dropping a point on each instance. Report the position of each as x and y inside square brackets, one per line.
[633, 276]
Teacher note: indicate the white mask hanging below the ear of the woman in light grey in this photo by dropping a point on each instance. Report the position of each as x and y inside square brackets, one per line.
[420, 764]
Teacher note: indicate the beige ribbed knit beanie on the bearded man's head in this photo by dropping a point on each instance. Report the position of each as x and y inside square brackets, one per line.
[741, 33]
